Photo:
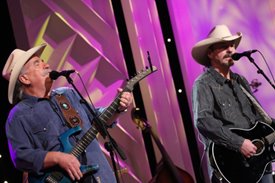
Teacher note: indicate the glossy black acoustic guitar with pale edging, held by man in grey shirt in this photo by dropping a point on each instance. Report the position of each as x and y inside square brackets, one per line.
[236, 168]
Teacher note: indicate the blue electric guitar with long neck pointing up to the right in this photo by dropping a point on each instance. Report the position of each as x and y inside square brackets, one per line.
[56, 175]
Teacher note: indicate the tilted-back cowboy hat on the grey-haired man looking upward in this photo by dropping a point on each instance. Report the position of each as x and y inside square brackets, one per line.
[15, 63]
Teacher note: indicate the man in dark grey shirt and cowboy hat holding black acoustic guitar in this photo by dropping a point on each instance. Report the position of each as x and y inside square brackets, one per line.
[220, 102]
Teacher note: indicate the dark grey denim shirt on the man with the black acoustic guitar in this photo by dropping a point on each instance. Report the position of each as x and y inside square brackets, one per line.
[218, 105]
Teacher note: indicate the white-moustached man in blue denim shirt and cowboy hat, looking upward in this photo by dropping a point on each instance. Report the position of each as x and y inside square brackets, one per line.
[36, 122]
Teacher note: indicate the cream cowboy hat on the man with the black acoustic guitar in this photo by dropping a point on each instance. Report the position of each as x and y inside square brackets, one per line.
[218, 34]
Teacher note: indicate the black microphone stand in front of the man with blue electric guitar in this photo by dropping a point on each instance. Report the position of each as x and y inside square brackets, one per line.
[111, 145]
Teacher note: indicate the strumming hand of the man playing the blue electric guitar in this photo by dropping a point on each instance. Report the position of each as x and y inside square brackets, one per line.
[68, 162]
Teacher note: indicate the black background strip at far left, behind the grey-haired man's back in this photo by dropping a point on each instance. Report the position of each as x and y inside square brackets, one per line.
[7, 171]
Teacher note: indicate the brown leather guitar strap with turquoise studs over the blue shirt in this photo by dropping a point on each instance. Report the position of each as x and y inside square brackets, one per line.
[70, 114]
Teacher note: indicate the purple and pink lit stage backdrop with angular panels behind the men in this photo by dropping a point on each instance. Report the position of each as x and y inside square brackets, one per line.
[83, 35]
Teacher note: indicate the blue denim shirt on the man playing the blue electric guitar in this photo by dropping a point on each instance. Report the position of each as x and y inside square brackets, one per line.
[33, 128]
